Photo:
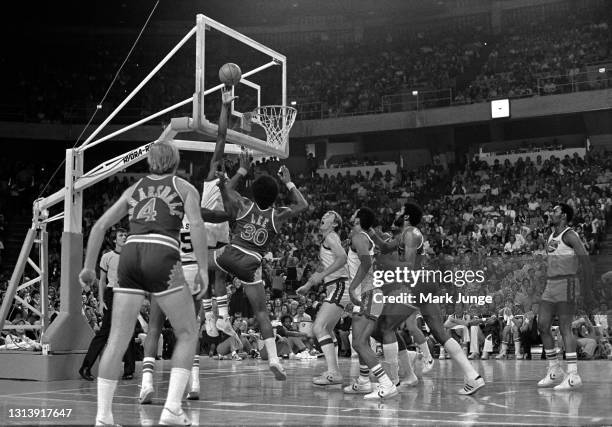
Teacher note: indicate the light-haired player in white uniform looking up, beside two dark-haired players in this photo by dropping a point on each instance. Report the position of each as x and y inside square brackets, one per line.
[334, 276]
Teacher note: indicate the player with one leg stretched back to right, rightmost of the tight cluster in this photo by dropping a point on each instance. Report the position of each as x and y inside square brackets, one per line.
[409, 247]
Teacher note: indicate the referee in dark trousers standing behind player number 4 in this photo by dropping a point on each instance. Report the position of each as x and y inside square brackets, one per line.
[108, 273]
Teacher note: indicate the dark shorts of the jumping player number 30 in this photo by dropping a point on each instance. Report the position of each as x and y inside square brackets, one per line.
[243, 264]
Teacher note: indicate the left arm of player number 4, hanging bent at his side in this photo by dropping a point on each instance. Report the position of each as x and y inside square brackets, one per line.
[117, 211]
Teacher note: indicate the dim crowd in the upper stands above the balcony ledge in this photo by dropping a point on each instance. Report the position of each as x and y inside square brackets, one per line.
[533, 58]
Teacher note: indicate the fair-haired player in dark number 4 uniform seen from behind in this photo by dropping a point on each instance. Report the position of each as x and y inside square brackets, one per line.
[150, 264]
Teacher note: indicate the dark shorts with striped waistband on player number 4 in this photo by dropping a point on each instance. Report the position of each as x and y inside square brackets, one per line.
[150, 264]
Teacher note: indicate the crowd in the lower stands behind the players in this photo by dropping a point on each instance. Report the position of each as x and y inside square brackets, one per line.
[479, 217]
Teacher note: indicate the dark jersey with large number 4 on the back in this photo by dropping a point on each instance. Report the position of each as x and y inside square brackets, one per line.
[156, 207]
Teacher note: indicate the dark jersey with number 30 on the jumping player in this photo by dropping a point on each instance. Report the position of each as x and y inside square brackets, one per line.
[255, 229]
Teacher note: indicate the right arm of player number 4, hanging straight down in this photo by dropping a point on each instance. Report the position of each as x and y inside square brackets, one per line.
[191, 198]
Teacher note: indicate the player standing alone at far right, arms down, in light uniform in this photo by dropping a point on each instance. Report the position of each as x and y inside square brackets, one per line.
[565, 254]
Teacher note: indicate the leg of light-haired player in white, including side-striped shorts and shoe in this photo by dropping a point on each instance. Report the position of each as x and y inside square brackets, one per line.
[323, 329]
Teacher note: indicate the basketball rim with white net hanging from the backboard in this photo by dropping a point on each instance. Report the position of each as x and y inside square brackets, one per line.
[277, 121]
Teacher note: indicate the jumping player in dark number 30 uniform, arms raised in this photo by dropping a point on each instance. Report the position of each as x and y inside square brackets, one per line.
[257, 222]
